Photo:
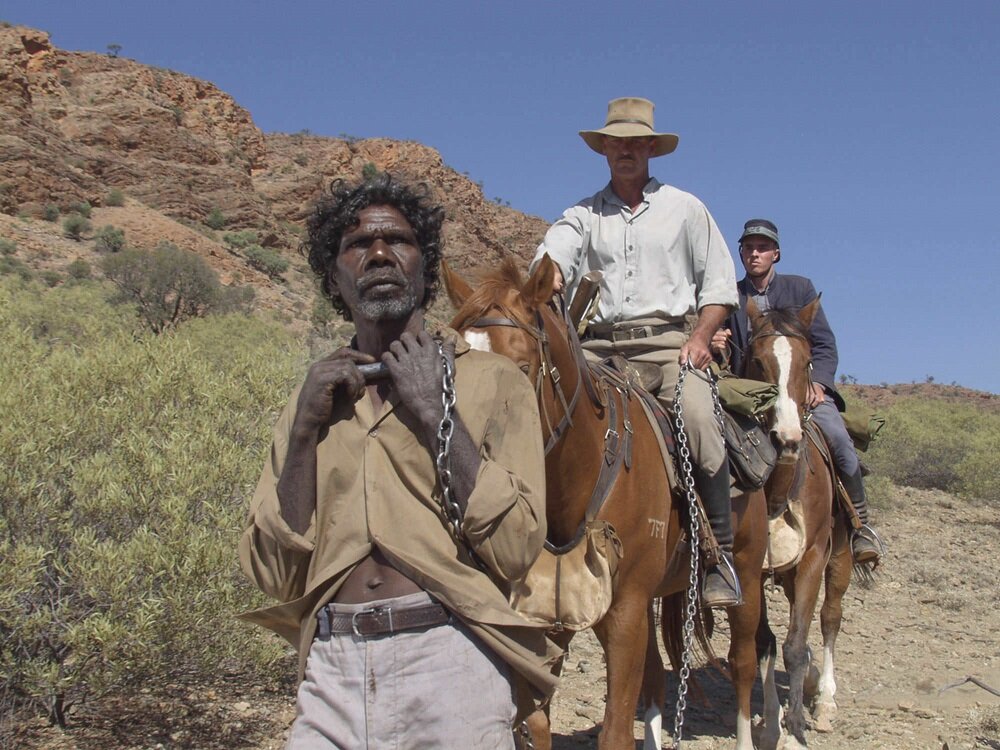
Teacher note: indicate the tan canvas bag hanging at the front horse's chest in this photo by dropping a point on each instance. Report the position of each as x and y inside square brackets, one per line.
[572, 590]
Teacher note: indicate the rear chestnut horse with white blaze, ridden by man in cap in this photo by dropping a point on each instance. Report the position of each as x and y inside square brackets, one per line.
[780, 352]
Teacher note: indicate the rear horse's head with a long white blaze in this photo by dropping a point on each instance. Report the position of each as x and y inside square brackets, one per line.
[780, 352]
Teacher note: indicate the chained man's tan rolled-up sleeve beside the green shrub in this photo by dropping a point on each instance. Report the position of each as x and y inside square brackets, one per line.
[273, 556]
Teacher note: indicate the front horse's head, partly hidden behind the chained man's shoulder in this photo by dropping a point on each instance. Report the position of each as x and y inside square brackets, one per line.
[505, 313]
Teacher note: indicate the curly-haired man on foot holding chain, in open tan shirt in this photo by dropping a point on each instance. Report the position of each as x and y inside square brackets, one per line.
[395, 597]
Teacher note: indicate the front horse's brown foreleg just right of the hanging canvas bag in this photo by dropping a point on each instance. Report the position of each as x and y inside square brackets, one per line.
[623, 634]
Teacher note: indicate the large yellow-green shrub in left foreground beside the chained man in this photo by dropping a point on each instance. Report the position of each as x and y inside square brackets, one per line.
[128, 465]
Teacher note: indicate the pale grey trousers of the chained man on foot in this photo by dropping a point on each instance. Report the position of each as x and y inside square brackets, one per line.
[432, 687]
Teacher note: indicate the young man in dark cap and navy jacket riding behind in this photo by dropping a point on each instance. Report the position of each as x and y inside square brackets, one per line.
[759, 251]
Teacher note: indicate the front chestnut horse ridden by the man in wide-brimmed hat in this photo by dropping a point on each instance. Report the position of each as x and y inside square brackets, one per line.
[516, 318]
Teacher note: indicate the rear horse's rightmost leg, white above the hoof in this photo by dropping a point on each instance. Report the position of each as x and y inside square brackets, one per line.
[838, 578]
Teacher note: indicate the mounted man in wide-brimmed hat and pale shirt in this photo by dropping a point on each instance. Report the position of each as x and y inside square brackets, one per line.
[669, 283]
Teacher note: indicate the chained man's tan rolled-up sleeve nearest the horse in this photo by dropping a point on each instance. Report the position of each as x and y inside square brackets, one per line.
[505, 518]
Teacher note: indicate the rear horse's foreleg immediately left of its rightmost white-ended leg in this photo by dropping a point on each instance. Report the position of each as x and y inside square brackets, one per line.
[808, 577]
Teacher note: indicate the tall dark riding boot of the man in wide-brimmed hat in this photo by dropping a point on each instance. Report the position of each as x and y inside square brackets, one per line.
[721, 587]
